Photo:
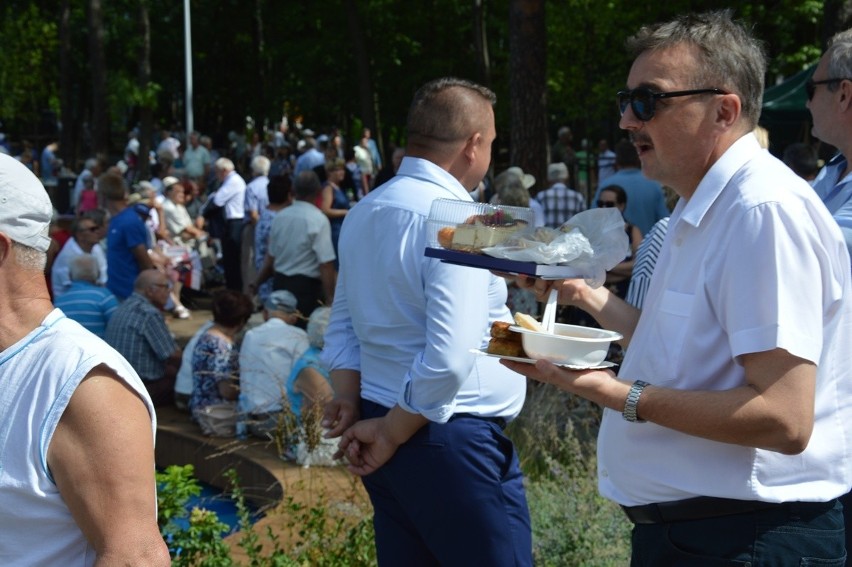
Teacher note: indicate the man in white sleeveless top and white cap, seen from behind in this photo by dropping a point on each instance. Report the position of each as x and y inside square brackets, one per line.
[76, 424]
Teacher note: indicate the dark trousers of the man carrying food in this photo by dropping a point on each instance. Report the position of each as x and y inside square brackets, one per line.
[790, 535]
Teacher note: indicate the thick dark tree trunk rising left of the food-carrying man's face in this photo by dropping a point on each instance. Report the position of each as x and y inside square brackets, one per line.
[528, 104]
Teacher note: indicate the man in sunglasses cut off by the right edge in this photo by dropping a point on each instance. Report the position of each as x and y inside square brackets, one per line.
[830, 102]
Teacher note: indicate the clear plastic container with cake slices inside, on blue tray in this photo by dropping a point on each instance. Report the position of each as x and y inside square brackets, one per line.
[469, 227]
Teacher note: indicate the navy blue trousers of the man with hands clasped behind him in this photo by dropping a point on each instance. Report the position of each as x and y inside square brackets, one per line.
[452, 495]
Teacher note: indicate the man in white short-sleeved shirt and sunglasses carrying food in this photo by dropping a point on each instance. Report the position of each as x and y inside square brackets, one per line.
[727, 433]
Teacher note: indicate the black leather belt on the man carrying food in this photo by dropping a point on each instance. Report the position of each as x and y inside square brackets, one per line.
[704, 507]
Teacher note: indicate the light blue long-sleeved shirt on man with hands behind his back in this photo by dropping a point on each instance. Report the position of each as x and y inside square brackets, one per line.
[408, 322]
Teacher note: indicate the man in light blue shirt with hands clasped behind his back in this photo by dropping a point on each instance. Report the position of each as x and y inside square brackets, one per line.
[398, 346]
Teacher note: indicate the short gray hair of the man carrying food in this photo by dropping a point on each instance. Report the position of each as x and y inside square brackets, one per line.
[730, 57]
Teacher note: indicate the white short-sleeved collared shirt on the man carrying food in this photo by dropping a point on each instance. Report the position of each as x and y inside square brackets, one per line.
[752, 262]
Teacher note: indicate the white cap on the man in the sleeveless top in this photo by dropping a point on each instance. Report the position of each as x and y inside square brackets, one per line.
[25, 207]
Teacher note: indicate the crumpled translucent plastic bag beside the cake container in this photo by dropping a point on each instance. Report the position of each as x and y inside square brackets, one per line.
[593, 241]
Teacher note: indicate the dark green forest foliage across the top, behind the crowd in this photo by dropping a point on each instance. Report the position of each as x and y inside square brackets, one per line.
[259, 58]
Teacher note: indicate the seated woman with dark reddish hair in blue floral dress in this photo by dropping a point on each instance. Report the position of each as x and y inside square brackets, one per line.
[215, 360]
